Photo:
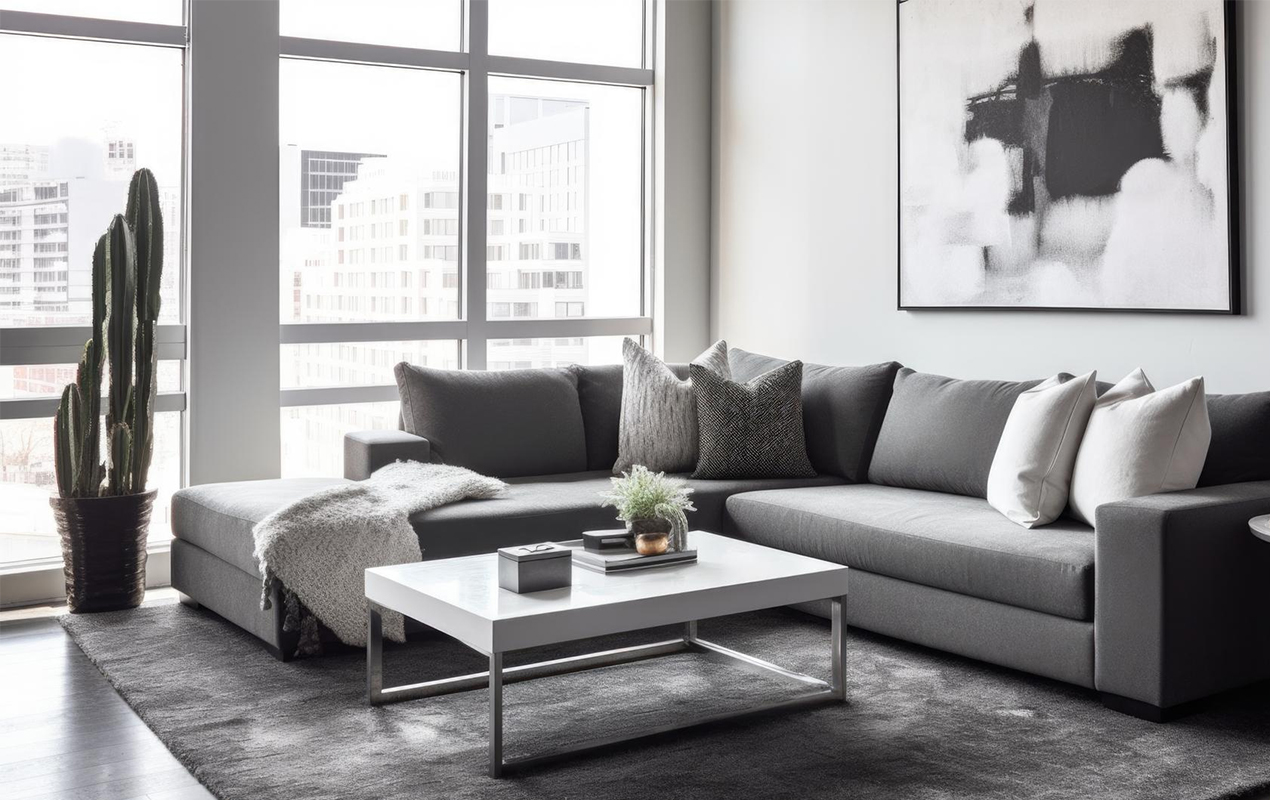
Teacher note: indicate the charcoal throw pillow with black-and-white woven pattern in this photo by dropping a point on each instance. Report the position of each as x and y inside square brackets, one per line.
[751, 430]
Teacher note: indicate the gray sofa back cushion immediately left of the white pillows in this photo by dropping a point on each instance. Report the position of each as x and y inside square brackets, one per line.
[942, 434]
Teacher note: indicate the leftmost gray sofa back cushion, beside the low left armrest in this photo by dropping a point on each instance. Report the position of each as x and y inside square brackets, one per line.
[505, 425]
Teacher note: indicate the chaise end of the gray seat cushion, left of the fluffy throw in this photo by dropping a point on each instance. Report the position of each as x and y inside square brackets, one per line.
[219, 517]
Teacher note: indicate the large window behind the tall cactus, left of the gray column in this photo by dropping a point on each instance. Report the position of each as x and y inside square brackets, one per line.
[74, 126]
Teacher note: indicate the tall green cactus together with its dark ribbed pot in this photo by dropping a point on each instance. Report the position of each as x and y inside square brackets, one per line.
[104, 509]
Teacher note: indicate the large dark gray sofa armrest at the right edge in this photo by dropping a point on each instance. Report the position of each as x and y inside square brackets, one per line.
[1182, 595]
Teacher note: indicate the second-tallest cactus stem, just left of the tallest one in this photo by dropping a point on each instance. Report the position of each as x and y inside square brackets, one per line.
[120, 331]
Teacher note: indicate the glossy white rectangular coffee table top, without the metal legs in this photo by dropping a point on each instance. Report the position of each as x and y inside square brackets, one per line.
[463, 599]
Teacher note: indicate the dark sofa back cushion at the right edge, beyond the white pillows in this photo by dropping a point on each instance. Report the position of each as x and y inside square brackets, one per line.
[1241, 440]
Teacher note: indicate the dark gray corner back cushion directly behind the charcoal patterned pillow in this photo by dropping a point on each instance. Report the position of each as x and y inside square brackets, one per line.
[843, 410]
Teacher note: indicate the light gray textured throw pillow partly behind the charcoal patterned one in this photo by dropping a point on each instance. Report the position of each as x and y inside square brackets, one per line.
[658, 427]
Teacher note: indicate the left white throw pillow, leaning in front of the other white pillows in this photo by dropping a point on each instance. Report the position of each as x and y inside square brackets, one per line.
[1032, 472]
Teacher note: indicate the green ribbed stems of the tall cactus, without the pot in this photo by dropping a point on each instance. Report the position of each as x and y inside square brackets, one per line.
[128, 269]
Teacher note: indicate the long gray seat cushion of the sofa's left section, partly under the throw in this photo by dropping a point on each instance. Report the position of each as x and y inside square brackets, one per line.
[219, 517]
